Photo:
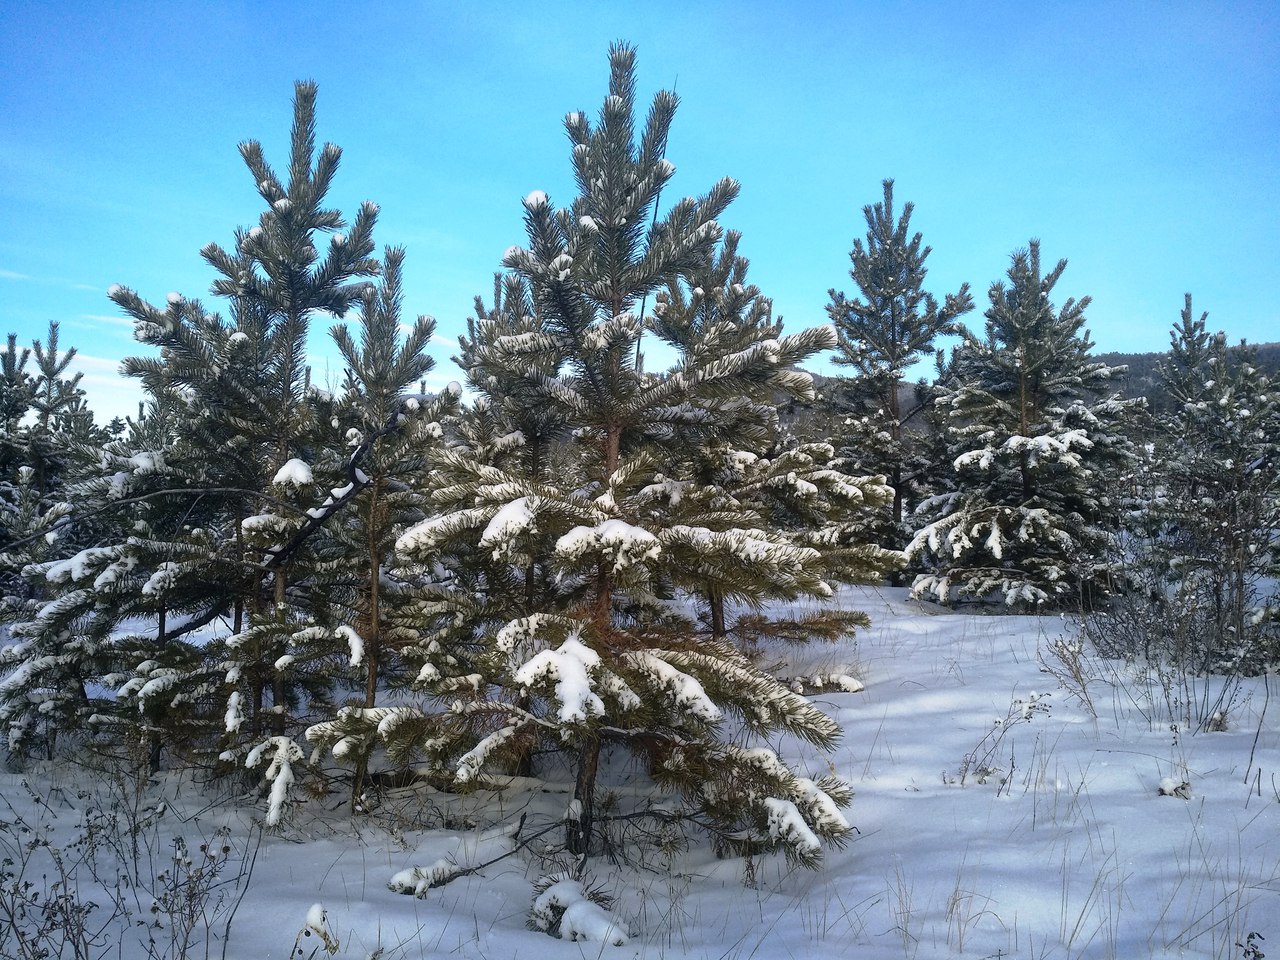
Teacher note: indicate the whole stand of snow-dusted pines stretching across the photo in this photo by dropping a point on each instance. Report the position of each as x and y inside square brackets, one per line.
[579, 568]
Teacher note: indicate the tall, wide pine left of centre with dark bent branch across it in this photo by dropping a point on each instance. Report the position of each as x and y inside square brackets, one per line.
[223, 529]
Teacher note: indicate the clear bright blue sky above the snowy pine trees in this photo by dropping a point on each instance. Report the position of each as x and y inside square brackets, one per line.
[1140, 141]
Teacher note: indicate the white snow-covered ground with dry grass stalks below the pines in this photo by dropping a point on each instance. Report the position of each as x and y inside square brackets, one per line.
[998, 817]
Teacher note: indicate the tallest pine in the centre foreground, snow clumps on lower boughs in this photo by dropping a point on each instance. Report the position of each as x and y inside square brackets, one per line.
[612, 664]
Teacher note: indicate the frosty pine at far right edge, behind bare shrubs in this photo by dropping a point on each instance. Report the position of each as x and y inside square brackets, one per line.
[1217, 513]
